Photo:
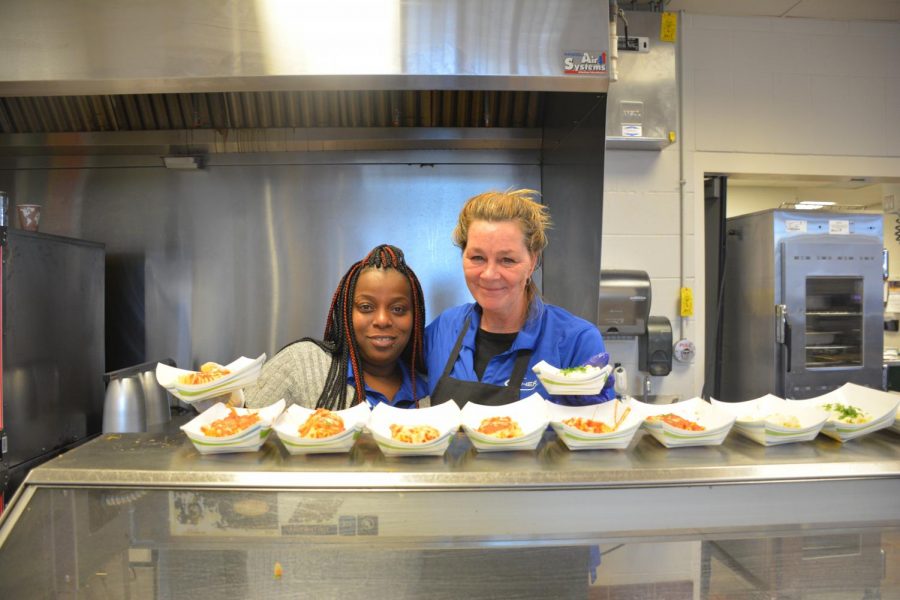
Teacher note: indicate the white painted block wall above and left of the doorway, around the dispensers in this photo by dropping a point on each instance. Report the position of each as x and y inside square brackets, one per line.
[762, 86]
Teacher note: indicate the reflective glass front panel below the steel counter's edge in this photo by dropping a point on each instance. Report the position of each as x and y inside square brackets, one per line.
[173, 544]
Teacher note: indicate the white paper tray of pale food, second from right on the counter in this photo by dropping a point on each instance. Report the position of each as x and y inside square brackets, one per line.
[771, 420]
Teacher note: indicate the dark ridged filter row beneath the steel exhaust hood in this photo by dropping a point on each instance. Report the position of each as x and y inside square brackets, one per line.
[264, 110]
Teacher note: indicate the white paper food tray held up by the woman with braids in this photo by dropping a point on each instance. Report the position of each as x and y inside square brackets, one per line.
[244, 371]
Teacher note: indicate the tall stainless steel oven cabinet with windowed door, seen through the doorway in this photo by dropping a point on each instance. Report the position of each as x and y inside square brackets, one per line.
[803, 304]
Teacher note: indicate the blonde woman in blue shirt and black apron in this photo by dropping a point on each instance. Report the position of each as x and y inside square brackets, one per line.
[484, 351]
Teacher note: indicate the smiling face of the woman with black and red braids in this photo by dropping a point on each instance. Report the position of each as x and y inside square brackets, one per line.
[382, 317]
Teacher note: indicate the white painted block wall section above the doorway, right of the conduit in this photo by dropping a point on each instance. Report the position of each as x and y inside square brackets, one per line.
[793, 85]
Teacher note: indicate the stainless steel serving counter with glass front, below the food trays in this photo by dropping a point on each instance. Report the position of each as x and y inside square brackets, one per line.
[146, 516]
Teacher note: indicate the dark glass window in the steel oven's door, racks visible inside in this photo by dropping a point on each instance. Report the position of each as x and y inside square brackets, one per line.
[834, 322]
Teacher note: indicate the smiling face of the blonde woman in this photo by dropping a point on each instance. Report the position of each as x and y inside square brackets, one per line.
[497, 265]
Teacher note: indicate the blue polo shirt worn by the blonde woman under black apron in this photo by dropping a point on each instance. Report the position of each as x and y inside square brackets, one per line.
[552, 334]
